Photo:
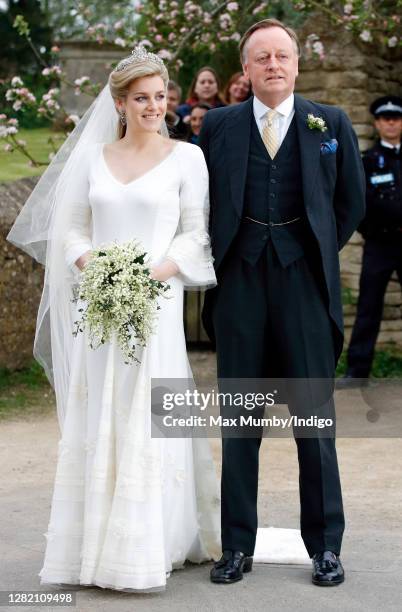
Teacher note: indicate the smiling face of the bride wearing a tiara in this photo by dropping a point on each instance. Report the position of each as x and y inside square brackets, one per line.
[145, 104]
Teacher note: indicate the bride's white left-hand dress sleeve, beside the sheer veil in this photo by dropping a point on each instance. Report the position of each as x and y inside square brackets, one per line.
[77, 237]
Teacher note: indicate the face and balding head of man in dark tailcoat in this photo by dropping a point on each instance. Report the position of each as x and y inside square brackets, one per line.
[271, 63]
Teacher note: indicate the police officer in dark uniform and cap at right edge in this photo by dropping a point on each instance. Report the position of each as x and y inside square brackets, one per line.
[382, 231]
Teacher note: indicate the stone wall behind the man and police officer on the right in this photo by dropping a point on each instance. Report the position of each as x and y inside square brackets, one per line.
[352, 78]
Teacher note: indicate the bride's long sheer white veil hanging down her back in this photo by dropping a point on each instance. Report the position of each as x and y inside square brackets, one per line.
[39, 230]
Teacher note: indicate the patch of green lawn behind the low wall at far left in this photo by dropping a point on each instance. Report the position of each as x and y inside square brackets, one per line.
[14, 166]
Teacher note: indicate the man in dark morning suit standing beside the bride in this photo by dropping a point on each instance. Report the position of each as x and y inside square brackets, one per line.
[286, 195]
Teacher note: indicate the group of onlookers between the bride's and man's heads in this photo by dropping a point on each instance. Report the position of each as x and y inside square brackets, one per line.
[184, 119]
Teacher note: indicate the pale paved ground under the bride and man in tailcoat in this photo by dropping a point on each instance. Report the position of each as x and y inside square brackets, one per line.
[371, 471]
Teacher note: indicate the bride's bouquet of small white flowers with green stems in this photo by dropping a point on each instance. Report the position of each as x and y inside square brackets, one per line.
[118, 297]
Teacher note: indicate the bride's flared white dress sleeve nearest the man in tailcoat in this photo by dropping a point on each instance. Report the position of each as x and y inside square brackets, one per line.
[190, 248]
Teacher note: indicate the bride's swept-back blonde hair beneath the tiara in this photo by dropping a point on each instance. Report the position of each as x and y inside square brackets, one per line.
[120, 80]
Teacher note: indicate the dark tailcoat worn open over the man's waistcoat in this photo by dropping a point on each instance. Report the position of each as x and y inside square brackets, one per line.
[333, 187]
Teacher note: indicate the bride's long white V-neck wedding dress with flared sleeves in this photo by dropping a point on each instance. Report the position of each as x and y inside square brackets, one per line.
[128, 508]
